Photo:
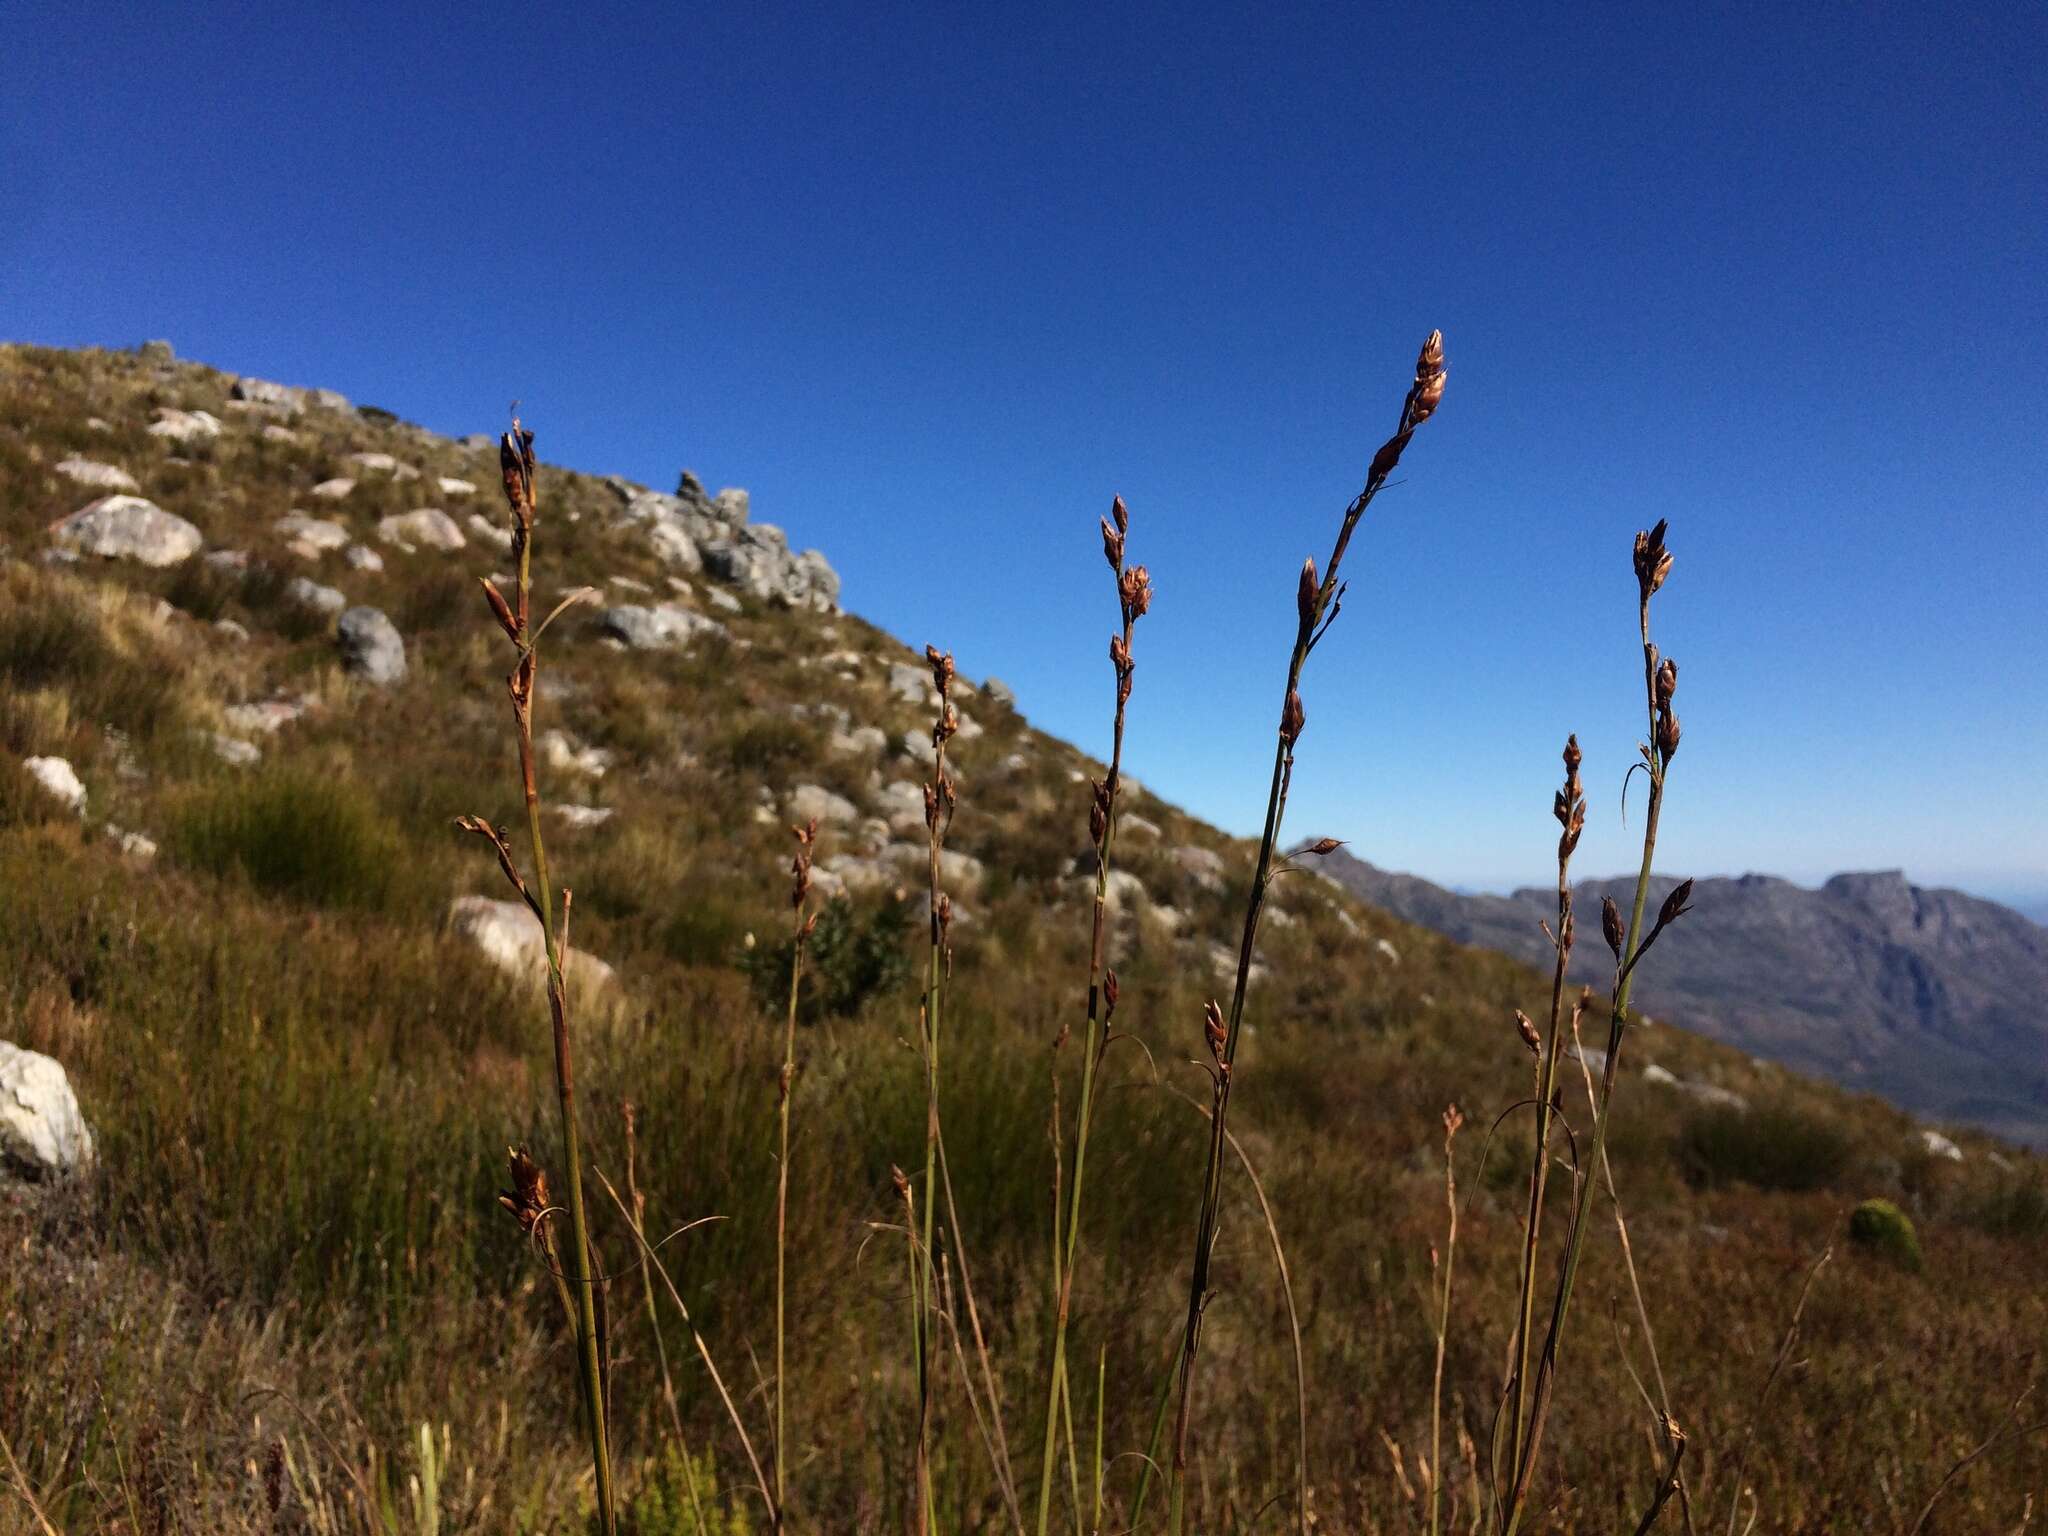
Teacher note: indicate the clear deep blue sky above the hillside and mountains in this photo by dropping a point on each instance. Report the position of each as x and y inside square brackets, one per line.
[937, 282]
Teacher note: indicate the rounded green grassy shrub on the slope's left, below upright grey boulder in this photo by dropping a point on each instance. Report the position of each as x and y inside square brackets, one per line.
[298, 835]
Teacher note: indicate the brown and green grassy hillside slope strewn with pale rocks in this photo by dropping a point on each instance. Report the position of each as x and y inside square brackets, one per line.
[304, 1089]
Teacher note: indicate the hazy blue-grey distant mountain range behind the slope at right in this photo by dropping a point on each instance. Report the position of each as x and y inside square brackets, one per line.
[1932, 998]
